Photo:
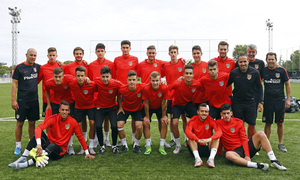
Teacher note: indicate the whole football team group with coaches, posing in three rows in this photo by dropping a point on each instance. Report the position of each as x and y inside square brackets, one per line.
[109, 92]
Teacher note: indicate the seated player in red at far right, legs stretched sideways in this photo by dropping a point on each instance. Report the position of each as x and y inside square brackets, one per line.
[238, 148]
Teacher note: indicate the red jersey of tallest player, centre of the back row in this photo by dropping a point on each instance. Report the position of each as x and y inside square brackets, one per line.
[123, 64]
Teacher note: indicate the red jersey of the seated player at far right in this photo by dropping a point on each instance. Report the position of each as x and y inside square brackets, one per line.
[234, 135]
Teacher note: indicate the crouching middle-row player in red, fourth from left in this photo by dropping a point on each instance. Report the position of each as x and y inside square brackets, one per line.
[131, 104]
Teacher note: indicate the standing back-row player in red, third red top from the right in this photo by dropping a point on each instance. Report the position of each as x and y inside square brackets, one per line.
[172, 71]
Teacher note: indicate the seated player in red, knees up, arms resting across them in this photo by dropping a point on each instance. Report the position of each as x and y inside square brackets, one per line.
[201, 140]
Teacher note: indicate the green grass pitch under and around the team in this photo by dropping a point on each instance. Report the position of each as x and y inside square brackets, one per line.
[153, 166]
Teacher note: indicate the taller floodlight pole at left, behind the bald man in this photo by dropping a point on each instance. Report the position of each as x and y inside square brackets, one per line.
[15, 13]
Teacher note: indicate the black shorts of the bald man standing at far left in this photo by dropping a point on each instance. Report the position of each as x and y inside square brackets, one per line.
[28, 110]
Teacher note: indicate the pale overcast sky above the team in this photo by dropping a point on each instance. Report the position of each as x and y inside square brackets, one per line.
[68, 24]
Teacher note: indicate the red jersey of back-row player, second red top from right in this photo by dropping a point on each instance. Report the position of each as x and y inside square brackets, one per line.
[200, 70]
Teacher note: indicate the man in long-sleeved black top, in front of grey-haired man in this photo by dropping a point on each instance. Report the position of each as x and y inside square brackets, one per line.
[247, 86]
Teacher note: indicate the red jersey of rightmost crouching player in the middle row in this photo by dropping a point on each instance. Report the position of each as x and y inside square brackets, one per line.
[216, 89]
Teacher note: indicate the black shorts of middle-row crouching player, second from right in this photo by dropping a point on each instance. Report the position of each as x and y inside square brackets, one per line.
[189, 108]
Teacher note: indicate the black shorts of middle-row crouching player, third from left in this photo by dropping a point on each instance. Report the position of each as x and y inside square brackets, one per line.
[111, 113]
